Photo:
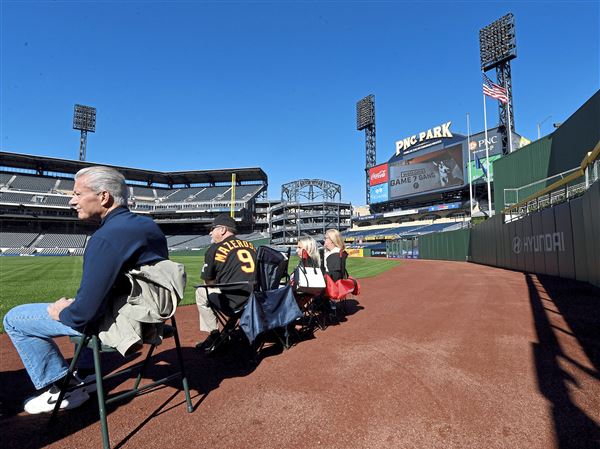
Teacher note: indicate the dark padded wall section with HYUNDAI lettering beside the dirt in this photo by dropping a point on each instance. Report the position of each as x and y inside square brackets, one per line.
[563, 240]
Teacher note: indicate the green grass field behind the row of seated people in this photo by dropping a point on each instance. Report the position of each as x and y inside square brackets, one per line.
[45, 279]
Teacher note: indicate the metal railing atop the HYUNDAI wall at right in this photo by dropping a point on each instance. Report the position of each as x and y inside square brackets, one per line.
[573, 184]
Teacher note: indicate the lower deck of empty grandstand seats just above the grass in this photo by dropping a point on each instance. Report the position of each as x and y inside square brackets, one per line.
[35, 244]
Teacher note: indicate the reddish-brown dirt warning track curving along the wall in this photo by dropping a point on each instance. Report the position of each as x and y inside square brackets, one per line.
[433, 354]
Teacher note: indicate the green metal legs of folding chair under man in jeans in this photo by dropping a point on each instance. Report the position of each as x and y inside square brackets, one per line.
[91, 340]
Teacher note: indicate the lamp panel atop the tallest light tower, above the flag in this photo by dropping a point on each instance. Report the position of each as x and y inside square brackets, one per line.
[497, 42]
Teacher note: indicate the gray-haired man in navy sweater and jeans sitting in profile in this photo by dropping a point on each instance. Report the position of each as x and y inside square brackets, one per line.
[123, 241]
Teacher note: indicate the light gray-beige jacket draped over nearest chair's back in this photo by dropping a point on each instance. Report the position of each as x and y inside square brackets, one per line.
[138, 318]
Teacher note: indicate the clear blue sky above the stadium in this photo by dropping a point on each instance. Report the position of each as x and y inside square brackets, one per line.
[207, 85]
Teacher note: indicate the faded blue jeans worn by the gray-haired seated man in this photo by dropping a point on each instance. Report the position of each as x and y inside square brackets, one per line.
[32, 331]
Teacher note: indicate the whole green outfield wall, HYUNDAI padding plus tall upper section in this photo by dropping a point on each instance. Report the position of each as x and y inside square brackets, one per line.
[562, 240]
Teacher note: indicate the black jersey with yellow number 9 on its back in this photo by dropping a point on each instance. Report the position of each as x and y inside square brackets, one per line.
[232, 260]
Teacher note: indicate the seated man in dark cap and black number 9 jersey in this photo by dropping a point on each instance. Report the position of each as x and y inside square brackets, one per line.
[228, 259]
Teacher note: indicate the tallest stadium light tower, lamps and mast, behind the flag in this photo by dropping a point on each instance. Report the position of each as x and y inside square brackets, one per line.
[497, 46]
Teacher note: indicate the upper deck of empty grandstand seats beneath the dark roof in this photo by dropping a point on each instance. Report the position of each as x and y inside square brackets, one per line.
[56, 192]
